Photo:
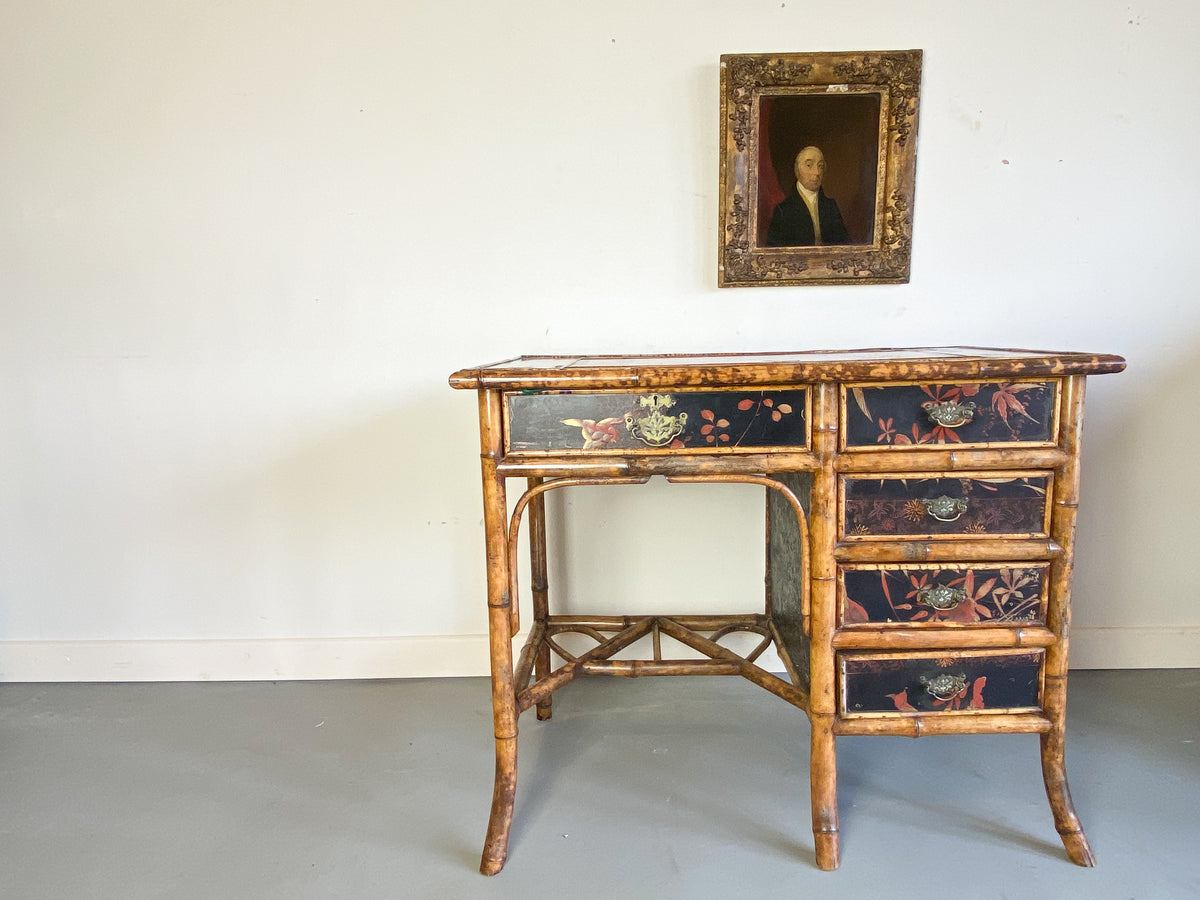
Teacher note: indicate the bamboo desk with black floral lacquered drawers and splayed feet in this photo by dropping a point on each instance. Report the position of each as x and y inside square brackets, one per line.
[921, 517]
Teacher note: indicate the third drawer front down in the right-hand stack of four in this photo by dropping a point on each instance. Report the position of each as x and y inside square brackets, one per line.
[989, 595]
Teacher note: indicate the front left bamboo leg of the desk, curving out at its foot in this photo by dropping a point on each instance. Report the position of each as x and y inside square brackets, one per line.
[500, 623]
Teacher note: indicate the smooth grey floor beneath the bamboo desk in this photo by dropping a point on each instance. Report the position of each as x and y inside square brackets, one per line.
[669, 788]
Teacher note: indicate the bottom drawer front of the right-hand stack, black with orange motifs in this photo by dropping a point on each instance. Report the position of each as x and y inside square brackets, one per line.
[970, 682]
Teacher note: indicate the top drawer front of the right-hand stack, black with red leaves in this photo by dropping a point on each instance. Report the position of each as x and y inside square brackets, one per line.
[991, 413]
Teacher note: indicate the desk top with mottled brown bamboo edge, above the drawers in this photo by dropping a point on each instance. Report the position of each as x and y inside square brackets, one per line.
[777, 368]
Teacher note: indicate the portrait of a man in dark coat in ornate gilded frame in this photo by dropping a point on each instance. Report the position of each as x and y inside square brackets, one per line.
[819, 163]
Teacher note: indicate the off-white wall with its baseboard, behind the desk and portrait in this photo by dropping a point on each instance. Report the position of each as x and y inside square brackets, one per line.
[243, 245]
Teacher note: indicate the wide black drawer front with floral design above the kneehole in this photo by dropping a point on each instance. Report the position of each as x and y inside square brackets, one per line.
[555, 422]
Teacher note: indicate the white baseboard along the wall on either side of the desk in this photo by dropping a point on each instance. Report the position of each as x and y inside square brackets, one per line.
[435, 657]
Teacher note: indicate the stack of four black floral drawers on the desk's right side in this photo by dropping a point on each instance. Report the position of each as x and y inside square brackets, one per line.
[964, 632]
